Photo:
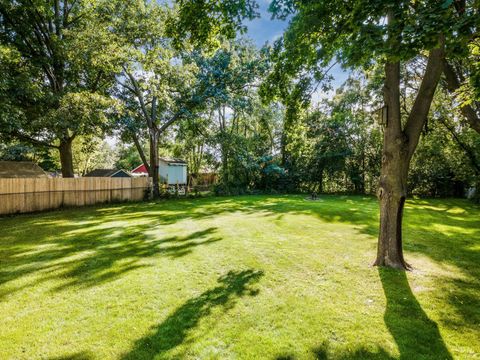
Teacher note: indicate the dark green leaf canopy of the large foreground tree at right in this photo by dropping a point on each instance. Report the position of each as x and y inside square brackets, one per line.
[354, 33]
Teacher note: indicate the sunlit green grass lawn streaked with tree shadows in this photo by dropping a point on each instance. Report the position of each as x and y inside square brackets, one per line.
[252, 277]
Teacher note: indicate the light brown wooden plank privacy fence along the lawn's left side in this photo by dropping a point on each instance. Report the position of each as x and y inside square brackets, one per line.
[29, 195]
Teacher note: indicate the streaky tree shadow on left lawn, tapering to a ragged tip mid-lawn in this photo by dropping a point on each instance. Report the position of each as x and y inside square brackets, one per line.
[92, 256]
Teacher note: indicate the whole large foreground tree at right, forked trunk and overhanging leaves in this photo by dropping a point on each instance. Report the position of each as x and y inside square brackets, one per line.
[360, 34]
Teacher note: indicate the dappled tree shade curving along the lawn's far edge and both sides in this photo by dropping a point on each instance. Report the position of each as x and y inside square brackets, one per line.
[117, 238]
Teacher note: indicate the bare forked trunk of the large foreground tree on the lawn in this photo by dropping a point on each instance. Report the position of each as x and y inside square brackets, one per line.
[398, 148]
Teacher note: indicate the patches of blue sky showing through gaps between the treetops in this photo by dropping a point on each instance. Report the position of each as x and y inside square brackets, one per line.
[264, 29]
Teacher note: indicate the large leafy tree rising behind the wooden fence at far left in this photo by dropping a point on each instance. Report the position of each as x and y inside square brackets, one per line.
[57, 60]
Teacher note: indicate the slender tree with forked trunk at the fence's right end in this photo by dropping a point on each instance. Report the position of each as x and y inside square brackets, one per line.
[156, 85]
